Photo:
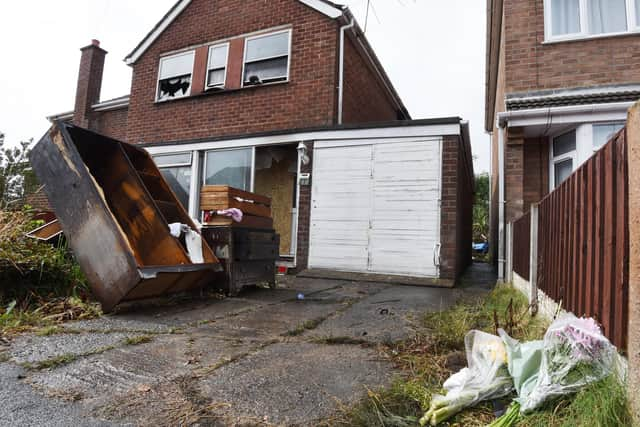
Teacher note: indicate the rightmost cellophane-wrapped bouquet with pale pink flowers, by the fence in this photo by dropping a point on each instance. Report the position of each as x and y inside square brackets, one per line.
[575, 353]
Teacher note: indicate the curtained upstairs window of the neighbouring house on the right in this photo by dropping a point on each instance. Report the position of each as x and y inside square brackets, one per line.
[570, 19]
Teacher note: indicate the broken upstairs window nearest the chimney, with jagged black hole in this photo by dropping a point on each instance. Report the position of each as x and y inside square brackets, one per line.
[174, 77]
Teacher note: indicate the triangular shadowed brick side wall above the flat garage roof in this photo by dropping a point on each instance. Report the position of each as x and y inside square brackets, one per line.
[365, 99]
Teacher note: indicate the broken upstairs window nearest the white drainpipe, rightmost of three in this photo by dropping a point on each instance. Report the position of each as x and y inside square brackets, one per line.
[266, 58]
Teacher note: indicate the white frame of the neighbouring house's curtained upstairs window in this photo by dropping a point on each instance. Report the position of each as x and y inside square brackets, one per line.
[585, 33]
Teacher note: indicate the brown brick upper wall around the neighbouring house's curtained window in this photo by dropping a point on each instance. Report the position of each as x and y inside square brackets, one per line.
[532, 65]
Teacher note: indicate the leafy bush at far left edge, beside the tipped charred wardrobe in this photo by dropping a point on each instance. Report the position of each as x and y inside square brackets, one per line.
[16, 176]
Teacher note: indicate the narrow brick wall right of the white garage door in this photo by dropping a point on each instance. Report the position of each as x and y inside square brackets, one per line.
[456, 219]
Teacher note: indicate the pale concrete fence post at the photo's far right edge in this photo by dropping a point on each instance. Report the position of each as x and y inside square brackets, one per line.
[633, 338]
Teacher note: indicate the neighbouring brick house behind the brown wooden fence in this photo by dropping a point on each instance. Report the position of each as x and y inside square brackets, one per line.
[560, 77]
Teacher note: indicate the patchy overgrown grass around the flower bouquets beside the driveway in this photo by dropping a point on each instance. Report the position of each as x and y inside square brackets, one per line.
[437, 351]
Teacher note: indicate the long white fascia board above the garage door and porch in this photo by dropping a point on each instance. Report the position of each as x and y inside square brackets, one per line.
[335, 137]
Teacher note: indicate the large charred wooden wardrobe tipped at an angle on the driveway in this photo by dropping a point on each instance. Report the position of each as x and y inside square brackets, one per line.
[106, 195]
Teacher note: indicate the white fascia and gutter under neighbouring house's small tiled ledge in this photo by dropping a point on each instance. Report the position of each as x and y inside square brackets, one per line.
[567, 114]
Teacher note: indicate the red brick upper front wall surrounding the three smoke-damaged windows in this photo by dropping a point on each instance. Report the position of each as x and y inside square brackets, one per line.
[309, 99]
